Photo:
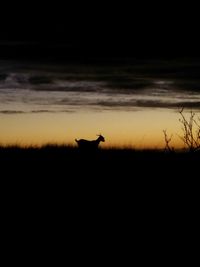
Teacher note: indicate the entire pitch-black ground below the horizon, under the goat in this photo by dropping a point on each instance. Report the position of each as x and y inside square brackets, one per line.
[114, 203]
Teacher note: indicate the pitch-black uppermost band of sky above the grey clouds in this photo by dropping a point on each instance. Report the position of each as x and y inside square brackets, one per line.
[104, 29]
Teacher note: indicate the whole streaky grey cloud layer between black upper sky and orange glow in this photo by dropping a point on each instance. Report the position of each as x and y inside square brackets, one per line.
[119, 84]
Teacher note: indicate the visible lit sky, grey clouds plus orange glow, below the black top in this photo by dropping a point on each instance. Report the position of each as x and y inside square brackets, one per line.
[130, 101]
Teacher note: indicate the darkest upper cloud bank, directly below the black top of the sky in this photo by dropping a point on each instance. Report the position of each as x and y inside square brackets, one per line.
[118, 75]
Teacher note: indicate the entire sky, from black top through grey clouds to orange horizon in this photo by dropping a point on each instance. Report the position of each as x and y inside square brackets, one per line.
[74, 73]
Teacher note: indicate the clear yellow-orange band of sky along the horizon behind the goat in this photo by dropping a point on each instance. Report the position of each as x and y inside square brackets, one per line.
[138, 129]
